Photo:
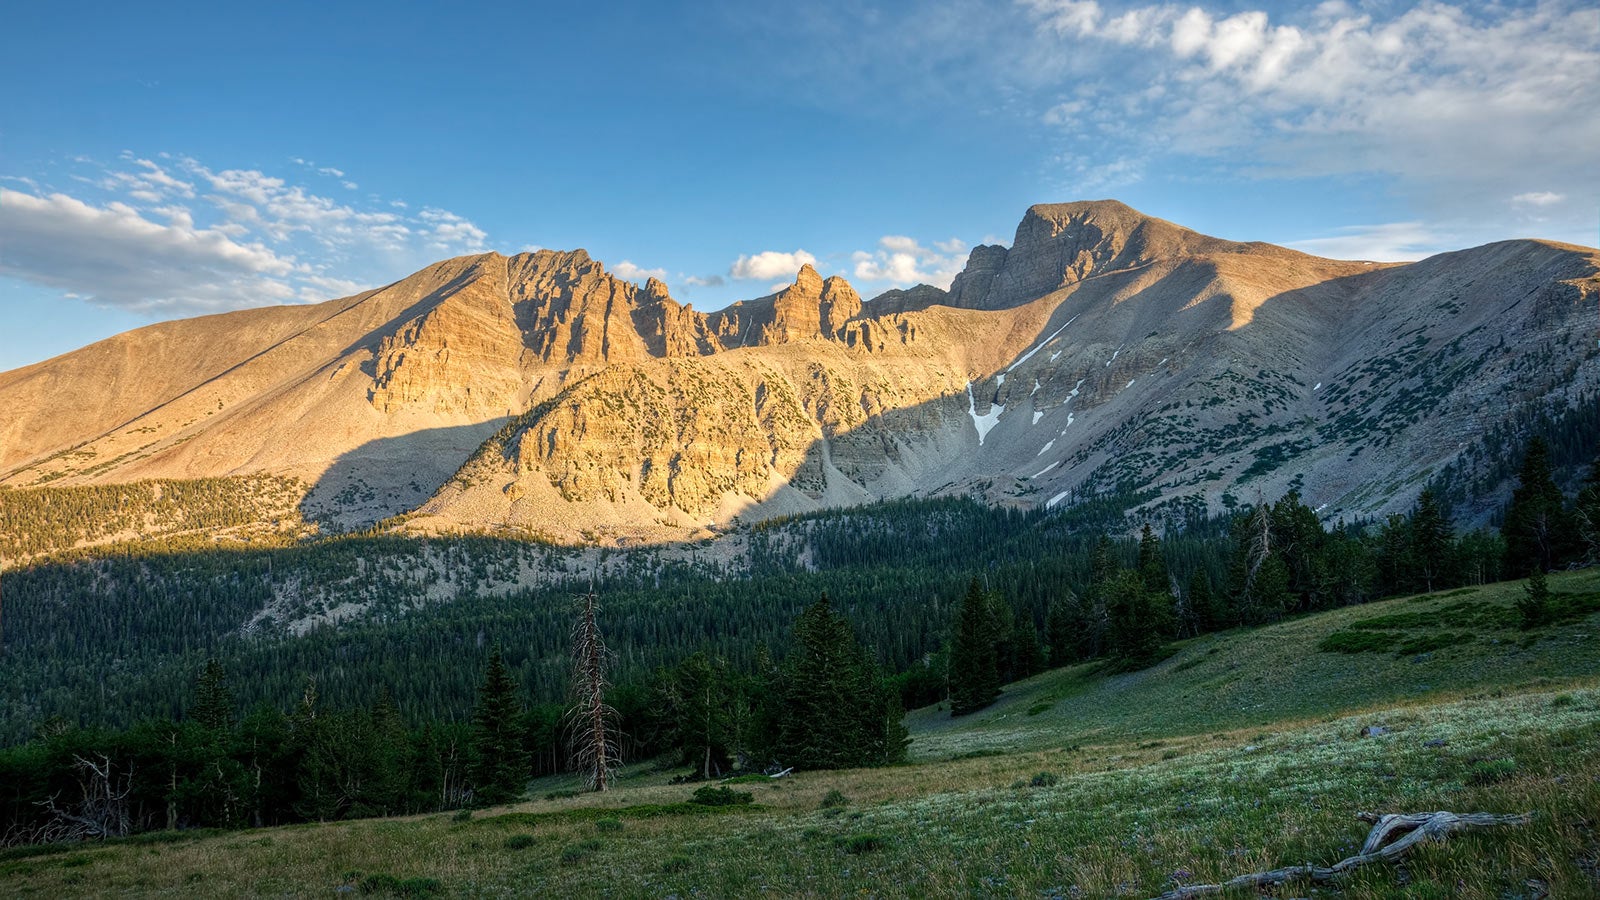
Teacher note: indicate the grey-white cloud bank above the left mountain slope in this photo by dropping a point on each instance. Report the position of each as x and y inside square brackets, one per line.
[175, 238]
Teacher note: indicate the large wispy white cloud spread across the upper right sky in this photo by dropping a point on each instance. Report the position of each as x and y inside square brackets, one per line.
[1468, 100]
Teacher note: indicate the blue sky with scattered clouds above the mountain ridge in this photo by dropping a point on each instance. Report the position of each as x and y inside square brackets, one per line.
[186, 159]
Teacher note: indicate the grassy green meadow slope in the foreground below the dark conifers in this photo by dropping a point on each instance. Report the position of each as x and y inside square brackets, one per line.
[1239, 753]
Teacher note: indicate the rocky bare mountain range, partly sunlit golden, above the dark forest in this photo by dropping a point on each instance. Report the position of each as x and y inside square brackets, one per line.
[1103, 353]
